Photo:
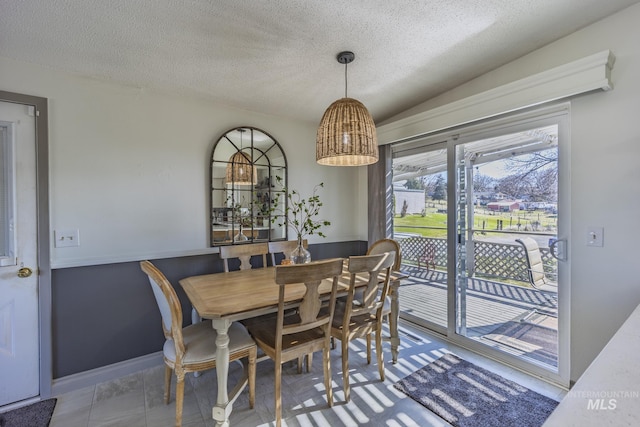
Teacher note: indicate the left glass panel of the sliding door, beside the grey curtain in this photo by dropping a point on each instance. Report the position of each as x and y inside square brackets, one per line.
[420, 225]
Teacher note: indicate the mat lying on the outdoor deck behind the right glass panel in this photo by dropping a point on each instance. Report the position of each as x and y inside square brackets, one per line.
[536, 337]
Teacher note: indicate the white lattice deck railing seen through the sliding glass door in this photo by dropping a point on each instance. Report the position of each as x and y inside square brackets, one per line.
[491, 259]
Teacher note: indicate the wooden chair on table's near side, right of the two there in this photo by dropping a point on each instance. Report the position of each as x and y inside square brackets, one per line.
[361, 317]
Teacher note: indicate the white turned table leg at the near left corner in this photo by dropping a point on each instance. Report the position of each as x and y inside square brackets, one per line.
[223, 407]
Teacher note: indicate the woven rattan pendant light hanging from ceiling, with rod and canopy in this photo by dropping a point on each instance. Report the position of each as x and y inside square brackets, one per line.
[346, 135]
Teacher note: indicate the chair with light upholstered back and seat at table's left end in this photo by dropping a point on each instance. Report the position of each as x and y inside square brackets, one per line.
[193, 348]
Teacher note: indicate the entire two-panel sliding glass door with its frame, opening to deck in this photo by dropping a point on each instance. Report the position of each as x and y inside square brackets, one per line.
[496, 279]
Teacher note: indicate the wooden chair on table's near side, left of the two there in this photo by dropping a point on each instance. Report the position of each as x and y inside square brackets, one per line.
[289, 337]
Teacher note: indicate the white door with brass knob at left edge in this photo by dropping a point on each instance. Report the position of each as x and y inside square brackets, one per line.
[19, 337]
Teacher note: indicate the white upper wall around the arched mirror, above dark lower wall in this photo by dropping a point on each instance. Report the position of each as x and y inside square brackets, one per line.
[129, 167]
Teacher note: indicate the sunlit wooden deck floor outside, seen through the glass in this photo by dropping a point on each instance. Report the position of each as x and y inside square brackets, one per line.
[490, 305]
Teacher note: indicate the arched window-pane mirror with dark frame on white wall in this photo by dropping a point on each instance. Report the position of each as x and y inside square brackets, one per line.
[245, 164]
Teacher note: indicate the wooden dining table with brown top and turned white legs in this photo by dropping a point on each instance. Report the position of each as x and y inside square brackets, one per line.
[243, 294]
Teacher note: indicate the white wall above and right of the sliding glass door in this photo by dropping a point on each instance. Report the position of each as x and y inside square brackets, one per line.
[605, 148]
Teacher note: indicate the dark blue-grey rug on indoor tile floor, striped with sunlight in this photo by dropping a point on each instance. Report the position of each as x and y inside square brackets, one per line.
[466, 395]
